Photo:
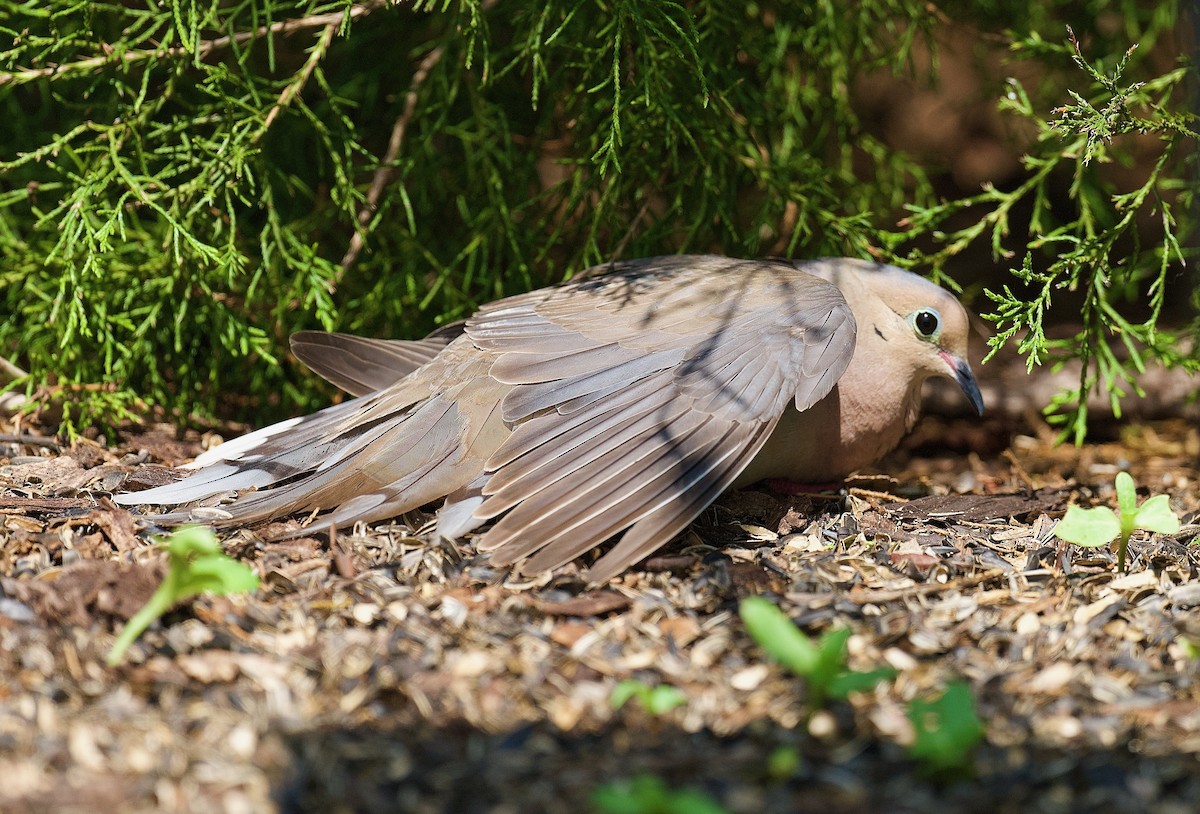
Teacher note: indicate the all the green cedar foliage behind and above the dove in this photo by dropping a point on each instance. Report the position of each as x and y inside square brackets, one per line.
[185, 183]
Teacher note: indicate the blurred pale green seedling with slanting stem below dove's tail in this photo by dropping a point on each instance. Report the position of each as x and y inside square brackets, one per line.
[196, 565]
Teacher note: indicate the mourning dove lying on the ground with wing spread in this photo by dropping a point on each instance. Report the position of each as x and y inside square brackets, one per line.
[616, 405]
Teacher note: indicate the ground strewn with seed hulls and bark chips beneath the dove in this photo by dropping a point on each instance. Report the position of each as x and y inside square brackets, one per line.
[376, 672]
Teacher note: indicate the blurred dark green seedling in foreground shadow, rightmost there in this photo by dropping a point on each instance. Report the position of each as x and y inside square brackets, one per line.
[947, 731]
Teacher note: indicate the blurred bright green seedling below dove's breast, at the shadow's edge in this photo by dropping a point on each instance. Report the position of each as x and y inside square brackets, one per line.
[821, 665]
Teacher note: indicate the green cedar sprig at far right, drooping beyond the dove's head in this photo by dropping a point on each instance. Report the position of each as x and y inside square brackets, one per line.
[1095, 246]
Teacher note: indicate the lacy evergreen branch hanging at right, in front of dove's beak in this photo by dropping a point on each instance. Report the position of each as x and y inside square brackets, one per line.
[1097, 252]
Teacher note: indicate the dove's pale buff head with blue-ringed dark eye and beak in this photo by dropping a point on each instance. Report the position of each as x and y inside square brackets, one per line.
[908, 321]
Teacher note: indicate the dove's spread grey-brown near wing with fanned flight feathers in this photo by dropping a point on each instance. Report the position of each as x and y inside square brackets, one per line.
[637, 400]
